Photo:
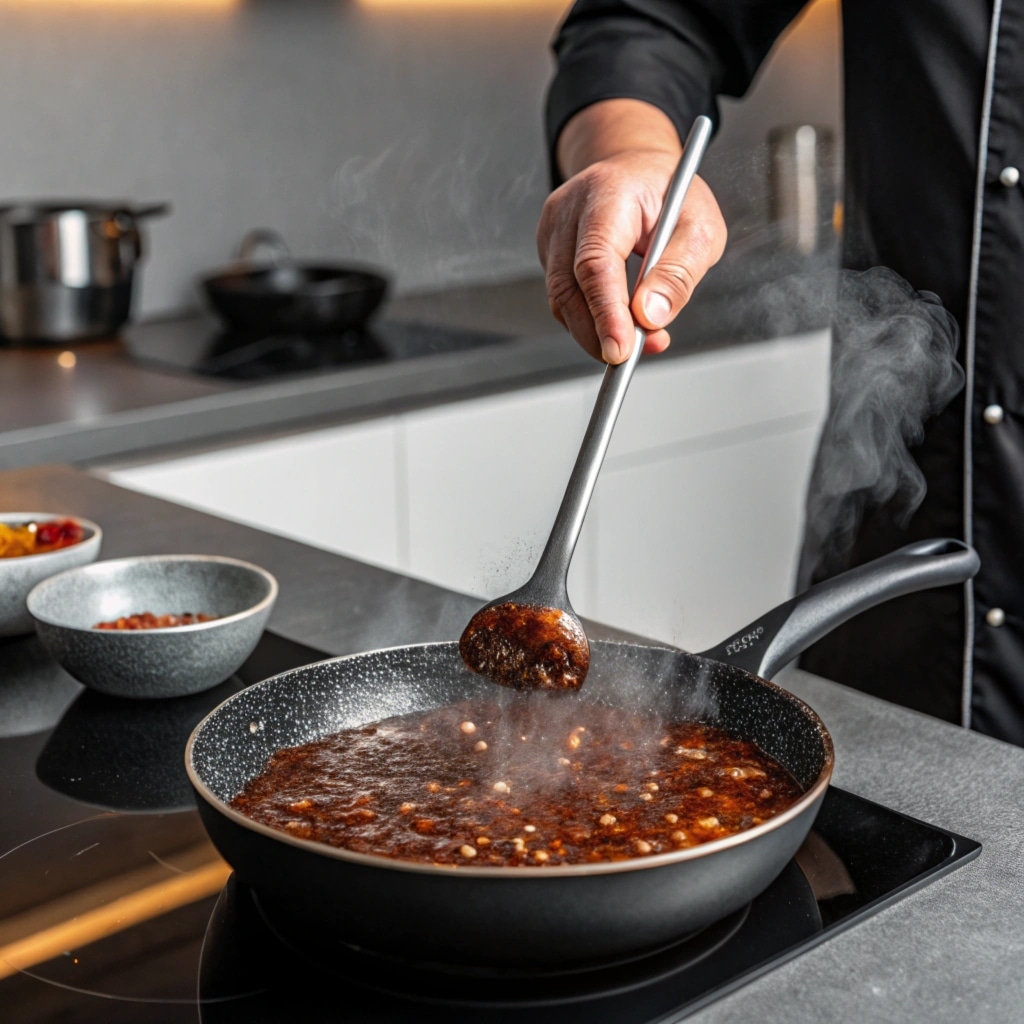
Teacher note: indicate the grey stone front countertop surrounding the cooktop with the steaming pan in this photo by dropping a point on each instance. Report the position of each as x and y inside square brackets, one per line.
[952, 951]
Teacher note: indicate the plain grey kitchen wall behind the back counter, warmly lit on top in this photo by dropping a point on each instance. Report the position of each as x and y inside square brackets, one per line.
[400, 134]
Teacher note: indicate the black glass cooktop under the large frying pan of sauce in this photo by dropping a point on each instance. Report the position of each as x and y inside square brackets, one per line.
[115, 908]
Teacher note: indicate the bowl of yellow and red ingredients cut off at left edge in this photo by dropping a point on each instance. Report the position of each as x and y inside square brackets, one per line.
[34, 546]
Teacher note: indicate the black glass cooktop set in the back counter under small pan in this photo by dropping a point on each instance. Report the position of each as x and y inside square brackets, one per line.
[201, 346]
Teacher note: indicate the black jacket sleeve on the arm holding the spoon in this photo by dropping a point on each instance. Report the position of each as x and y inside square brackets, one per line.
[676, 55]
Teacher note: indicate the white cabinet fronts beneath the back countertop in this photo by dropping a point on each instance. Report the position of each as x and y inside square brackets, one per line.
[695, 526]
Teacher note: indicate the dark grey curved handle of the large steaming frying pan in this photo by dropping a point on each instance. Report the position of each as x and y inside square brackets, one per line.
[779, 636]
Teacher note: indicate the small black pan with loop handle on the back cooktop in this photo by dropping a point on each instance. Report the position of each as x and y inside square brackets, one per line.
[285, 296]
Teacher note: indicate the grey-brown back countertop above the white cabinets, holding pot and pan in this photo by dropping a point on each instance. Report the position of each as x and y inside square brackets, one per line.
[107, 406]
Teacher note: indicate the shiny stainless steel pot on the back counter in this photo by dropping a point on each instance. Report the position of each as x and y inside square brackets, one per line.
[67, 268]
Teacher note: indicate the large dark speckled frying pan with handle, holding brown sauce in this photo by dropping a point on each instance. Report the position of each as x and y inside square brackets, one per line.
[559, 918]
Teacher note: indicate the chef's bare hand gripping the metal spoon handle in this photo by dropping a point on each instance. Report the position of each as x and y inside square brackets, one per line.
[595, 221]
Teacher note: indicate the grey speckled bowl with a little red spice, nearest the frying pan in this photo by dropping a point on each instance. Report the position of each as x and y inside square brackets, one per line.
[163, 663]
